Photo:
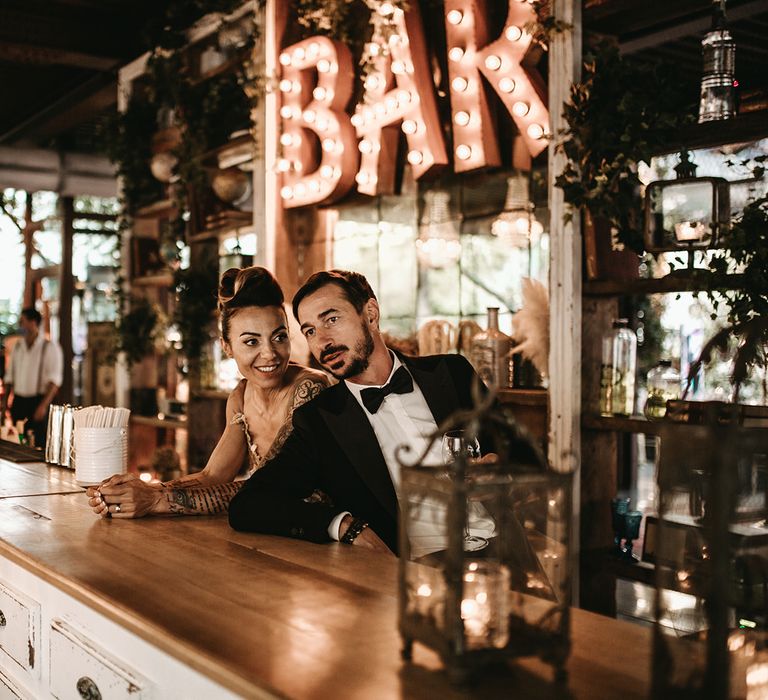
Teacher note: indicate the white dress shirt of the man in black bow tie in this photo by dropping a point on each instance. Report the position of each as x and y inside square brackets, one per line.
[405, 419]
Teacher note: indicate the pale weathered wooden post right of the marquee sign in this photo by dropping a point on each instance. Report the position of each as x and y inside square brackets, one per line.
[564, 275]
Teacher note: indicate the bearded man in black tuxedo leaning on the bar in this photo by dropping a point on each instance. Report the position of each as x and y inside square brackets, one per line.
[344, 441]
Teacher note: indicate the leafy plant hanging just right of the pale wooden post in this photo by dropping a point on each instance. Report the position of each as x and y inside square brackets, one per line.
[623, 111]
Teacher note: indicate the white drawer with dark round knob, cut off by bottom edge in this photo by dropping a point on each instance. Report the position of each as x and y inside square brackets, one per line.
[81, 670]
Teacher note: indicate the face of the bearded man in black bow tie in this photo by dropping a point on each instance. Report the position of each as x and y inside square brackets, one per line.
[338, 336]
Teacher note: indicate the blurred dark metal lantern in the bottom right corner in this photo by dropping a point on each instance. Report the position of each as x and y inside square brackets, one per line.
[709, 542]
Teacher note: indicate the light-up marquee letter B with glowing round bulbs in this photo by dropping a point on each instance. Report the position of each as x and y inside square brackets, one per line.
[305, 181]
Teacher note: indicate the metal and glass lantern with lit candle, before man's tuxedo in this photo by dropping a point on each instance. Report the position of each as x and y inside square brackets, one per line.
[485, 553]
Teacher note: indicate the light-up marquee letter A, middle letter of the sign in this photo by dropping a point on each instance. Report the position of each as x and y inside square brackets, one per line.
[398, 90]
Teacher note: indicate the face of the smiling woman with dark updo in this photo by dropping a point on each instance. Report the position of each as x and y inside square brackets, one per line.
[259, 343]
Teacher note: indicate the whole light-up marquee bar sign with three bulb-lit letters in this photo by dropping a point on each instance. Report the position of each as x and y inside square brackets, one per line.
[399, 95]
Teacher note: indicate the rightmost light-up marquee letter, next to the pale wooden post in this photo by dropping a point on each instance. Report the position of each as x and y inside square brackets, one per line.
[521, 89]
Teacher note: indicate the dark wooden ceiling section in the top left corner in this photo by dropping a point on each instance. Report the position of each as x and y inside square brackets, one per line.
[58, 65]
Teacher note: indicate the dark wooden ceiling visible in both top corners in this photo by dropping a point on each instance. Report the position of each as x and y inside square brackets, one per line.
[59, 58]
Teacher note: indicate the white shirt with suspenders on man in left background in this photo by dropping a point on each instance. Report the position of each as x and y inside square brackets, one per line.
[25, 372]
